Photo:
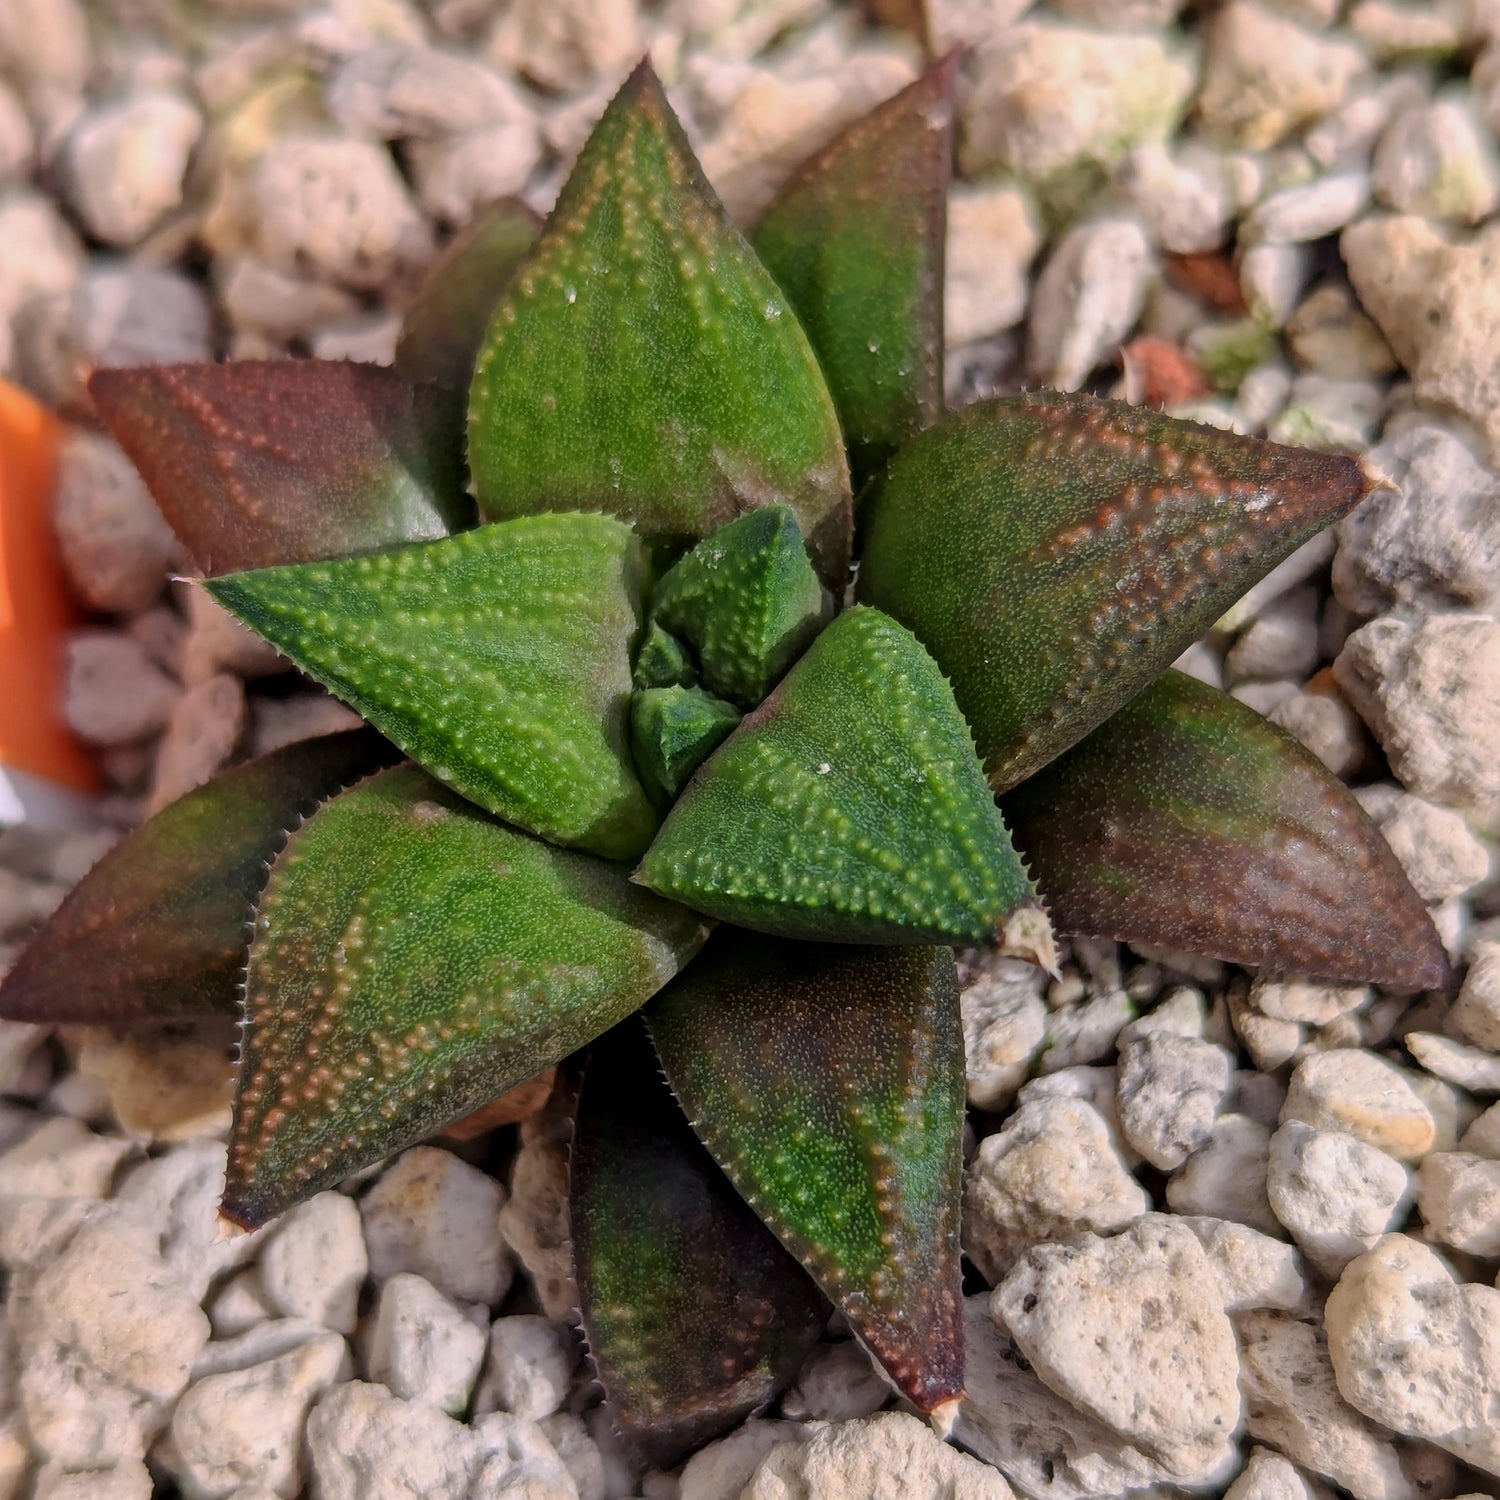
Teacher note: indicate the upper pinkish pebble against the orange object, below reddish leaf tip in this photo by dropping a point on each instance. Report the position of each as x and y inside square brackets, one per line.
[112, 538]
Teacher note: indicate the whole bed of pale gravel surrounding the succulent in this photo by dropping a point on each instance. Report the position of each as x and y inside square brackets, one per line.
[1231, 1235]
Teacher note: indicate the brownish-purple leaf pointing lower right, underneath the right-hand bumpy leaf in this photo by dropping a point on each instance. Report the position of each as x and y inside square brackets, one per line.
[1190, 821]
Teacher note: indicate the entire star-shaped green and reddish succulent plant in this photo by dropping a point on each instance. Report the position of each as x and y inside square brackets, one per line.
[625, 685]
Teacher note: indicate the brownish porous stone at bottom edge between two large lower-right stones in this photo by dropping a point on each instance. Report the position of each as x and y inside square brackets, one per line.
[1294, 1403]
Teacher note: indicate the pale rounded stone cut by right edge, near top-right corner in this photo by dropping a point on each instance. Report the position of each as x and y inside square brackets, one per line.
[1436, 160]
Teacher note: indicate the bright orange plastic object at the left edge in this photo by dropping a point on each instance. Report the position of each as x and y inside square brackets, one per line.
[35, 610]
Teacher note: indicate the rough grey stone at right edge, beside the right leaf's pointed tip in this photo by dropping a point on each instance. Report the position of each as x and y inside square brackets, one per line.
[1433, 541]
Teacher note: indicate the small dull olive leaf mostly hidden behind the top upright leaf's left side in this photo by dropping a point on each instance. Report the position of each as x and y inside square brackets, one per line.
[445, 326]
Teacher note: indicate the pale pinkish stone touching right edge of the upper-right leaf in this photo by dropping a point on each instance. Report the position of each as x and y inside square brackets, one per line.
[994, 238]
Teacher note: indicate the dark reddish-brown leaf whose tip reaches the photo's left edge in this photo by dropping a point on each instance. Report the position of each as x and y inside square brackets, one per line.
[158, 928]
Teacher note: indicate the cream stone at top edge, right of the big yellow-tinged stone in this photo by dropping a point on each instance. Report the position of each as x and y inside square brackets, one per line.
[1265, 76]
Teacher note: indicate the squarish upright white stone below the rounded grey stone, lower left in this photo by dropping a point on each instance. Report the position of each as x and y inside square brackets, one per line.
[424, 1348]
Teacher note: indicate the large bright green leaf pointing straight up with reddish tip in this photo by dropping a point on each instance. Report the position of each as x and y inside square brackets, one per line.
[644, 359]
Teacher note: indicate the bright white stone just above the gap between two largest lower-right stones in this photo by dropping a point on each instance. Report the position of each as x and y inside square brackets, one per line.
[1334, 1193]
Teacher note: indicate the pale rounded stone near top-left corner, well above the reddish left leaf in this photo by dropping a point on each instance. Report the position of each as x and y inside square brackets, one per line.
[125, 164]
